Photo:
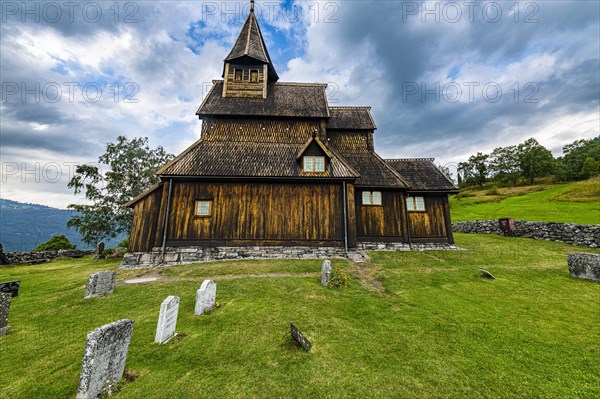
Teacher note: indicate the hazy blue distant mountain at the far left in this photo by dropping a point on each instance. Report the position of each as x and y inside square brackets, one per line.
[24, 226]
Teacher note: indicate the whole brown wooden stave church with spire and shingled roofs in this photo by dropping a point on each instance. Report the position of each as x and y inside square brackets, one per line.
[277, 166]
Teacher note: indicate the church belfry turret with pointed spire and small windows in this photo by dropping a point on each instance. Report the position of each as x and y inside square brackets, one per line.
[248, 68]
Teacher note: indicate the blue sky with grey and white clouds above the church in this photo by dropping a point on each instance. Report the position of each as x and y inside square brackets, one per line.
[445, 79]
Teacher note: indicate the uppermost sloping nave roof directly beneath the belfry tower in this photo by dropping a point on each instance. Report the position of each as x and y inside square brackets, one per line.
[298, 100]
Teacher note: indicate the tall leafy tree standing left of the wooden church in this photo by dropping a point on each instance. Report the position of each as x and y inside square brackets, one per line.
[130, 170]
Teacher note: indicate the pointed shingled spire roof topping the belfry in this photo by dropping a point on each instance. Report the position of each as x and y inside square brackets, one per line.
[250, 43]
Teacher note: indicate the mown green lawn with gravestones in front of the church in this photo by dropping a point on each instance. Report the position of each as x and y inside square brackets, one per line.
[410, 325]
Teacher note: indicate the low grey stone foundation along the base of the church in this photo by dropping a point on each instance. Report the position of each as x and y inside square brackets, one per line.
[186, 255]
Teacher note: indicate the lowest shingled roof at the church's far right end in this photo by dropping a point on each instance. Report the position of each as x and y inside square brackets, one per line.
[422, 174]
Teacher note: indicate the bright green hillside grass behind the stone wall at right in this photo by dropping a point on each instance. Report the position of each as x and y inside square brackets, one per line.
[577, 202]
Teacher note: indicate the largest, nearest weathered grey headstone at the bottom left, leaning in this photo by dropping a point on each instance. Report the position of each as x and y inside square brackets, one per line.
[104, 358]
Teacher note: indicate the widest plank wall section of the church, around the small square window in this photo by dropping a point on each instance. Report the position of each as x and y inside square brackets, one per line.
[257, 212]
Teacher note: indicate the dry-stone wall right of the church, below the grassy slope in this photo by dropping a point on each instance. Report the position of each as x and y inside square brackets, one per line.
[587, 235]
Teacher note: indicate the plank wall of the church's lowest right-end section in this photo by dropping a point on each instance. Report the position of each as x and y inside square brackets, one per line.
[430, 223]
